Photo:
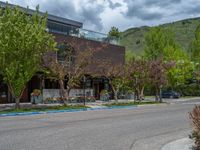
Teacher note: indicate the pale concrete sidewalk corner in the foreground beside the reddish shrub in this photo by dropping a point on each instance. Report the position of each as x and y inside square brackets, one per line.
[181, 144]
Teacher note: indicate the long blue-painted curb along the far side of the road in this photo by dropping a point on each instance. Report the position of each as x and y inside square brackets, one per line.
[61, 111]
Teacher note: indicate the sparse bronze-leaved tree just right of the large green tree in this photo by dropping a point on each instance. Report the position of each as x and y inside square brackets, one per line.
[71, 69]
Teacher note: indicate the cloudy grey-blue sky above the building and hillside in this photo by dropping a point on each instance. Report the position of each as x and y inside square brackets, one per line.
[100, 15]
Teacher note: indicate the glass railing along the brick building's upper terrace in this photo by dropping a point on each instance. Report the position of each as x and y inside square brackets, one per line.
[82, 33]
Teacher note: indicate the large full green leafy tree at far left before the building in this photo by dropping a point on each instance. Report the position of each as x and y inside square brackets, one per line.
[23, 42]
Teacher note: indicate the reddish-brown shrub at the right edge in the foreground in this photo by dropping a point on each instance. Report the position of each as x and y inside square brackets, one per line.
[195, 117]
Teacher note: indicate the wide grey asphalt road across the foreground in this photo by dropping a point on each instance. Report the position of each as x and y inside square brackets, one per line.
[142, 128]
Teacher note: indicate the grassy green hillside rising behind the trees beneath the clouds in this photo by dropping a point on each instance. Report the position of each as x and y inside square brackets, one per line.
[133, 39]
